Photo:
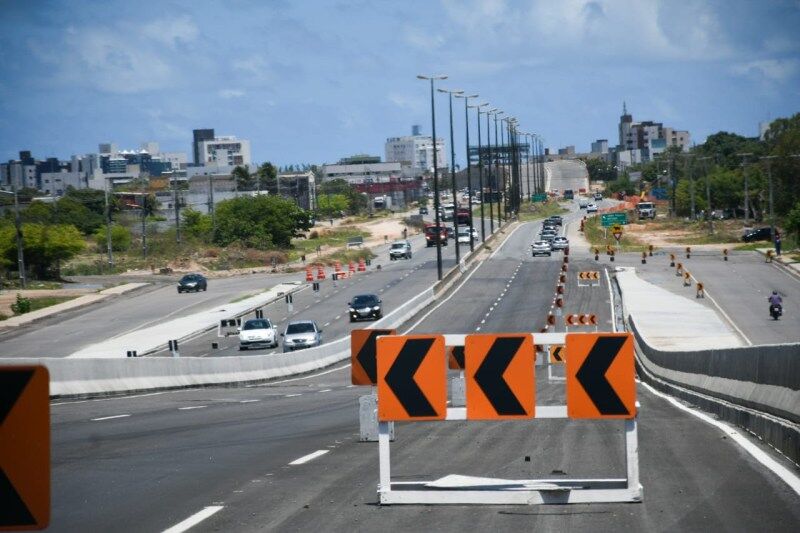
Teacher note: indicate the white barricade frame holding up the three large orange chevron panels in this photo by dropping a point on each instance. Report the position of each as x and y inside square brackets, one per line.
[467, 490]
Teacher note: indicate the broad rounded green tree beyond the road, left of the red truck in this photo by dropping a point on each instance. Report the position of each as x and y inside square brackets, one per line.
[260, 222]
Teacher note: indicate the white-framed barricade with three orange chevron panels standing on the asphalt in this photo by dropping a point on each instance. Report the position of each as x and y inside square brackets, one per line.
[411, 368]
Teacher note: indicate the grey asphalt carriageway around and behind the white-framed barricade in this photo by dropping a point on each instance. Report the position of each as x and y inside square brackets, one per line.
[285, 456]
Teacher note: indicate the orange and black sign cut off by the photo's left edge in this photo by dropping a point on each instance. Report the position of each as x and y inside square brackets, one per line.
[24, 447]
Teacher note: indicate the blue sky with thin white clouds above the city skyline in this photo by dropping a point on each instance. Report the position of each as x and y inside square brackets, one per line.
[313, 81]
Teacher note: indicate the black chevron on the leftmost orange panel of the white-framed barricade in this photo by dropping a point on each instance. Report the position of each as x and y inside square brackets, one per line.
[400, 378]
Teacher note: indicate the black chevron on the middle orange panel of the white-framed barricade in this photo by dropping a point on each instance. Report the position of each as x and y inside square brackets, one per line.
[489, 376]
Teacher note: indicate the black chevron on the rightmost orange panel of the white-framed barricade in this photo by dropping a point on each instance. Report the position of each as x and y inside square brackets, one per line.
[592, 376]
